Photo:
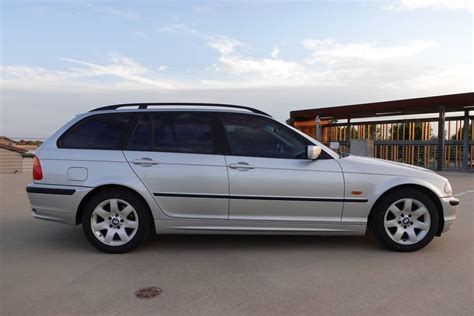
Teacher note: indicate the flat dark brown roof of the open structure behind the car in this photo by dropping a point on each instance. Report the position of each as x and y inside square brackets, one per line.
[451, 102]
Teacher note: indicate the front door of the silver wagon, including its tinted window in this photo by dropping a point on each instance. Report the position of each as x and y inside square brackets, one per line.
[271, 178]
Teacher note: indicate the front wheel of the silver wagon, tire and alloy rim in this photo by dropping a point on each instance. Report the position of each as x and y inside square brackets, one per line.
[404, 220]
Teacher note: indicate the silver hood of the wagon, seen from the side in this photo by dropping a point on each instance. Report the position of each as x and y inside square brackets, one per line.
[357, 164]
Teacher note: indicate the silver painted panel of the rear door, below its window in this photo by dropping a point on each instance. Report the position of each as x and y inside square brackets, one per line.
[180, 173]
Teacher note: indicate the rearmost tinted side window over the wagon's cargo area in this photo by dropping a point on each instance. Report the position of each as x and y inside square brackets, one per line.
[97, 132]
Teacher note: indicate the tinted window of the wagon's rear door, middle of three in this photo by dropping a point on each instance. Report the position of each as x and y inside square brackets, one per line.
[175, 132]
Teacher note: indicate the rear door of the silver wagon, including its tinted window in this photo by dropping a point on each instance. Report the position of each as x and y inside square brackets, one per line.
[178, 157]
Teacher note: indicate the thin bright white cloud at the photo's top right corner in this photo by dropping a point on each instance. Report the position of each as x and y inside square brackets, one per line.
[461, 5]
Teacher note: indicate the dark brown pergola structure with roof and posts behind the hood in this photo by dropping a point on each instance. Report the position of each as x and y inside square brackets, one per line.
[463, 102]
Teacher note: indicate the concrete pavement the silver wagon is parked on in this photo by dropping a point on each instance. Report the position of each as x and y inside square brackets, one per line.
[49, 268]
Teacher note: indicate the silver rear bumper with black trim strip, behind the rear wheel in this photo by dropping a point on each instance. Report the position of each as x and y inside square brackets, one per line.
[55, 202]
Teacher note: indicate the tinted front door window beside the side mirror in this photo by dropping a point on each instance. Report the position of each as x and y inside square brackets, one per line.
[254, 136]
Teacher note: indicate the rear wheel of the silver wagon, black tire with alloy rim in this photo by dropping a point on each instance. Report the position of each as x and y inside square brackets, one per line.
[116, 220]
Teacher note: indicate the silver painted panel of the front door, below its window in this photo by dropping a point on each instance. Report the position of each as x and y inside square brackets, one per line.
[291, 178]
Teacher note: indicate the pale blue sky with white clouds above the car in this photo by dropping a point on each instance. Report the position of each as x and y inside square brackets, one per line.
[62, 58]
